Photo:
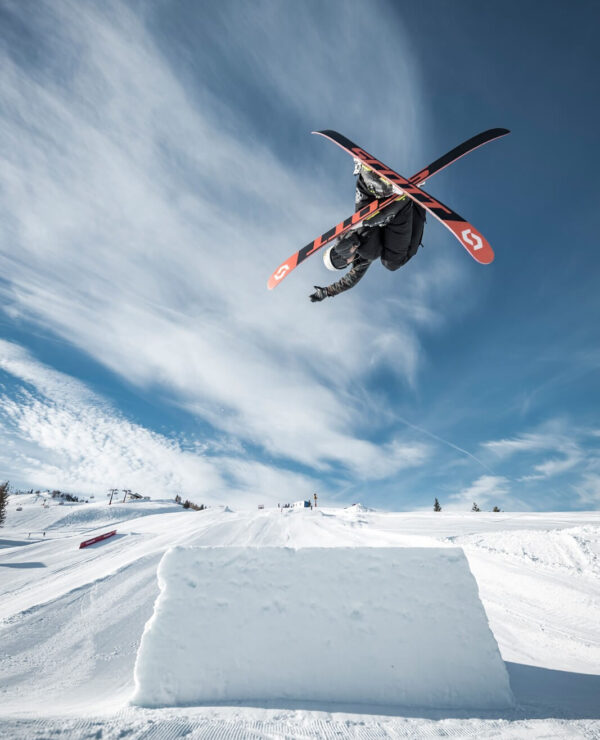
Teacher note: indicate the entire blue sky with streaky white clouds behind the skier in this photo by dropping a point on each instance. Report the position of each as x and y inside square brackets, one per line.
[157, 166]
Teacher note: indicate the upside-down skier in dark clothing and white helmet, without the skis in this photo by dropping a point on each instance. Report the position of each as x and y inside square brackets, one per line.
[392, 235]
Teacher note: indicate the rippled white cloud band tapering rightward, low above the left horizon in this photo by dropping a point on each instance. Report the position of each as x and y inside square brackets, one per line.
[56, 432]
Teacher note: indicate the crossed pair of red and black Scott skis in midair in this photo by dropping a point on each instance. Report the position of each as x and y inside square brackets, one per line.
[377, 205]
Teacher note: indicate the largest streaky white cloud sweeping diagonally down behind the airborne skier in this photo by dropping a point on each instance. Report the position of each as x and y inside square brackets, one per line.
[143, 217]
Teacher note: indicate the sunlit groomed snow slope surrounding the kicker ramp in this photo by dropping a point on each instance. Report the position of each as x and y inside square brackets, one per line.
[71, 620]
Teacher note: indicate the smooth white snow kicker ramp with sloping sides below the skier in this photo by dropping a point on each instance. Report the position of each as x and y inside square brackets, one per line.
[385, 626]
